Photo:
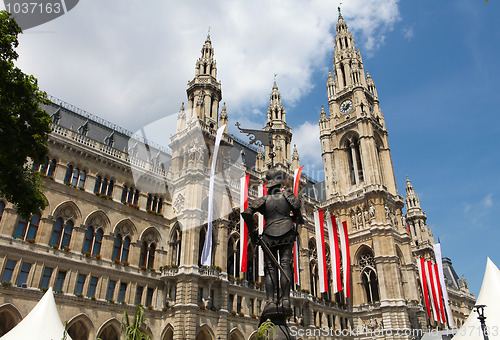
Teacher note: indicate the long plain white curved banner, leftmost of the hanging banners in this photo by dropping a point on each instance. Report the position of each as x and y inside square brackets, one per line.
[206, 255]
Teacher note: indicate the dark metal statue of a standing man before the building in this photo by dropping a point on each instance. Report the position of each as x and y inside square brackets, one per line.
[281, 211]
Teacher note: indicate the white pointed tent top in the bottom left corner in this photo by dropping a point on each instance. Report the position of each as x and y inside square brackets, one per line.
[42, 323]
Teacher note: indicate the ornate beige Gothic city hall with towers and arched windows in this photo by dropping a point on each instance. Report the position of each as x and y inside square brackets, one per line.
[127, 219]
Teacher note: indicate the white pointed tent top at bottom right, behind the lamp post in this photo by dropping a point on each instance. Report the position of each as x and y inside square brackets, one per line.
[489, 296]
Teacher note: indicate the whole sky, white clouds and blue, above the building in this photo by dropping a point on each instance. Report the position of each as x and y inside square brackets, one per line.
[434, 64]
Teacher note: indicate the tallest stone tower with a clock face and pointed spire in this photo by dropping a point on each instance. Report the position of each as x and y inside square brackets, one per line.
[361, 189]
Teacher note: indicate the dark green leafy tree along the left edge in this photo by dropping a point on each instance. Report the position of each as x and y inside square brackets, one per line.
[24, 126]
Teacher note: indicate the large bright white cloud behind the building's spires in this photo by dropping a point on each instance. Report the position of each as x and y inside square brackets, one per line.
[129, 63]
